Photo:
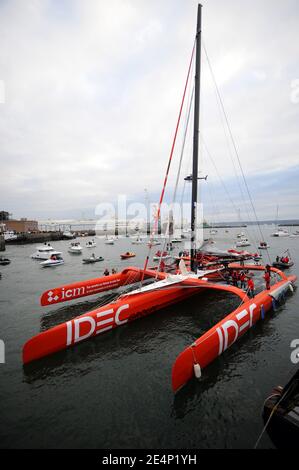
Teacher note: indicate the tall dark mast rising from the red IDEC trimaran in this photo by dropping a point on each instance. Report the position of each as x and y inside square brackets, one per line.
[195, 141]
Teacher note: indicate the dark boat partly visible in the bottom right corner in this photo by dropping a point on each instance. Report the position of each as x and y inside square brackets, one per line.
[280, 414]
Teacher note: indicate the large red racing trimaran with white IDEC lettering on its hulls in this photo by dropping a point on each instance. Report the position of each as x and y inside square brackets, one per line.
[167, 289]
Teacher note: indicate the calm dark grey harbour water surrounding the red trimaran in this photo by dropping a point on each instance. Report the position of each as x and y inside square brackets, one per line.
[114, 391]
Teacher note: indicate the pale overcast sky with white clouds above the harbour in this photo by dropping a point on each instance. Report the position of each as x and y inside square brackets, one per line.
[91, 92]
